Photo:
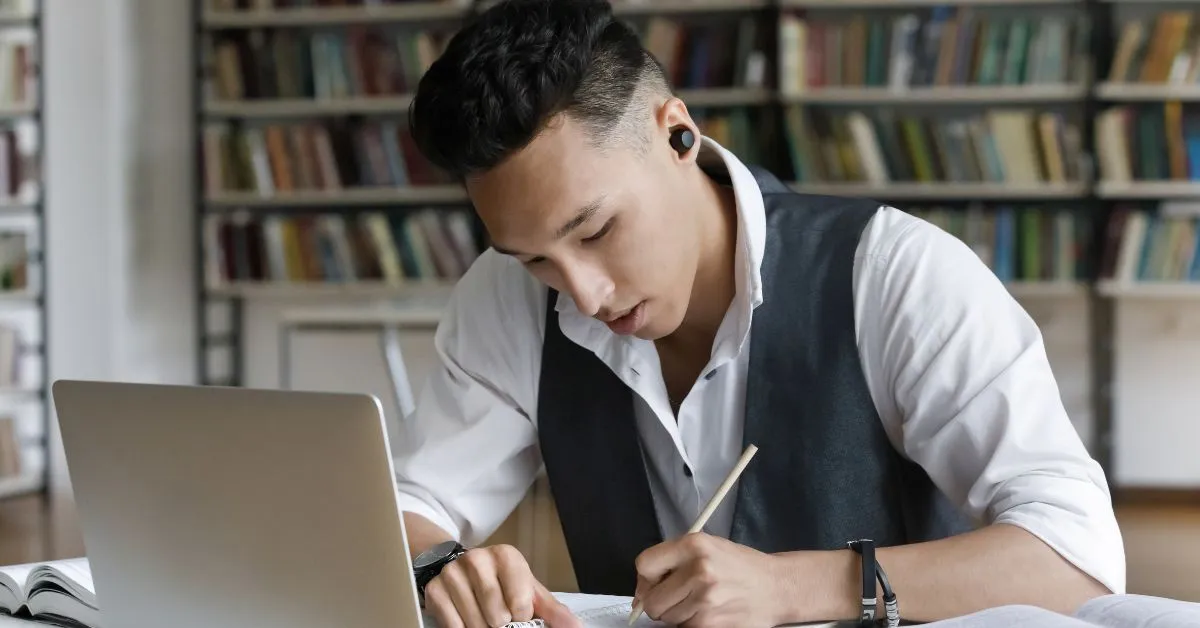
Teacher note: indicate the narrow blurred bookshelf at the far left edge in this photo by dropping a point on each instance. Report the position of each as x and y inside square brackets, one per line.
[25, 370]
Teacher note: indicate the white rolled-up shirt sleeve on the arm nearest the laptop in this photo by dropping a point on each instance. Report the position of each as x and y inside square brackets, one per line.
[469, 453]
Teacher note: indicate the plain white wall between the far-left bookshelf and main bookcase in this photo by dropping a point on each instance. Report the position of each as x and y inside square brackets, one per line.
[119, 177]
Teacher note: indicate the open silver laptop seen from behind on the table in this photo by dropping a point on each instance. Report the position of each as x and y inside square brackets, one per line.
[225, 507]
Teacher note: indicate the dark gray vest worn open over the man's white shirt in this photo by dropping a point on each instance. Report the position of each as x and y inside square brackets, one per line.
[825, 473]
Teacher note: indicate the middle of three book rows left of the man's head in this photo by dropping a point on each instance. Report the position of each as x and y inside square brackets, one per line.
[277, 159]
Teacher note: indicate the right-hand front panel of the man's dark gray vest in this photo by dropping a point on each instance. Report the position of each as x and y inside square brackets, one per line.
[824, 474]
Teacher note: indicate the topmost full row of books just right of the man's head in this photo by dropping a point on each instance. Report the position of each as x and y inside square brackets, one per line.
[941, 47]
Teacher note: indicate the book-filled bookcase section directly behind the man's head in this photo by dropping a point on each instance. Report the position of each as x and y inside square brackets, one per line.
[280, 148]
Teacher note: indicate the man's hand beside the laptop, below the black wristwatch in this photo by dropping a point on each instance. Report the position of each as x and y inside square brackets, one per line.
[488, 588]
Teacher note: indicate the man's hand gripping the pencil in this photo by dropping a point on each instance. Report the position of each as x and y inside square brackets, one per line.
[700, 581]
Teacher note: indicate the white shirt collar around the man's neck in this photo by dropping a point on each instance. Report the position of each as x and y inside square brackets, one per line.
[721, 164]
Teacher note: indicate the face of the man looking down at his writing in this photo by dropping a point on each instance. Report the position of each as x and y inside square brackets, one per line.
[602, 225]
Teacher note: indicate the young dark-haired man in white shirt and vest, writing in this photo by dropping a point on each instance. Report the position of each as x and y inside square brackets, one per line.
[651, 306]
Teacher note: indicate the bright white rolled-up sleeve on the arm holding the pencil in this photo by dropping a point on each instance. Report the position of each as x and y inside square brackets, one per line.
[961, 375]
